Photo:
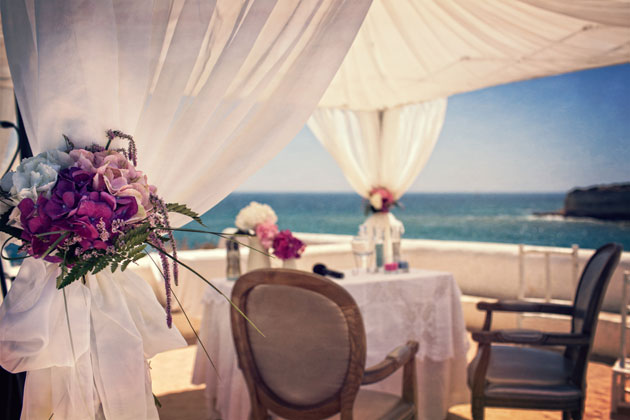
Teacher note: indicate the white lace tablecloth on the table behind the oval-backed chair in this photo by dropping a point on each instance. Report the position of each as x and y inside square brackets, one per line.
[421, 305]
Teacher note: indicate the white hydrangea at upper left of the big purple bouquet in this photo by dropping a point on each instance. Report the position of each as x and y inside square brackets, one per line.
[35, 176]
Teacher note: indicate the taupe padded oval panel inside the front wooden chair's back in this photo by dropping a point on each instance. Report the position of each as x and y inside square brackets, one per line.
[303, 357]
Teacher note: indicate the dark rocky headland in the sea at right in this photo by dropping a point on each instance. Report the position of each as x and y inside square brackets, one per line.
[608, 202]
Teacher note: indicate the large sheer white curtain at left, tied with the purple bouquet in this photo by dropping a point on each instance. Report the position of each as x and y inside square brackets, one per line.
[211, 90]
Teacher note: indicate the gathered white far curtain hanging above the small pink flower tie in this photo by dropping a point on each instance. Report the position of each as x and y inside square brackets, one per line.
[380, 148]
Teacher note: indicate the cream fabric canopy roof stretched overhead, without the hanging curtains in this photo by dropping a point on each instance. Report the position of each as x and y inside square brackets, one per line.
[412, 51]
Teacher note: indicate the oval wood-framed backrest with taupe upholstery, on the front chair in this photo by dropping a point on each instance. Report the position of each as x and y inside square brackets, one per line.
[310, 362]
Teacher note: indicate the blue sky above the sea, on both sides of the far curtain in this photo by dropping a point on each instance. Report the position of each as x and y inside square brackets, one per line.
[543, 135]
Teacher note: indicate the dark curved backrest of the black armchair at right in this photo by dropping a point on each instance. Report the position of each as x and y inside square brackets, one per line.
[588, 301]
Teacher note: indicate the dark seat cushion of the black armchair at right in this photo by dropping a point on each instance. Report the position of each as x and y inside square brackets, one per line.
[527, 373]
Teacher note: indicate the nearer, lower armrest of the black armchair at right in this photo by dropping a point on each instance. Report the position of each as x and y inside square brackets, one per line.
[531, 337]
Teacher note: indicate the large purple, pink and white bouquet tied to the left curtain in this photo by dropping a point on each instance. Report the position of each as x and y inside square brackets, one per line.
[88, 209]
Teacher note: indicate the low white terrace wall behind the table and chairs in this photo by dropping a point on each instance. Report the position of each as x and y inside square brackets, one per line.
[482, 270]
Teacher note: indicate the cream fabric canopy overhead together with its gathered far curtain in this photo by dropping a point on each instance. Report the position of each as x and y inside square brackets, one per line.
[408, 52]
